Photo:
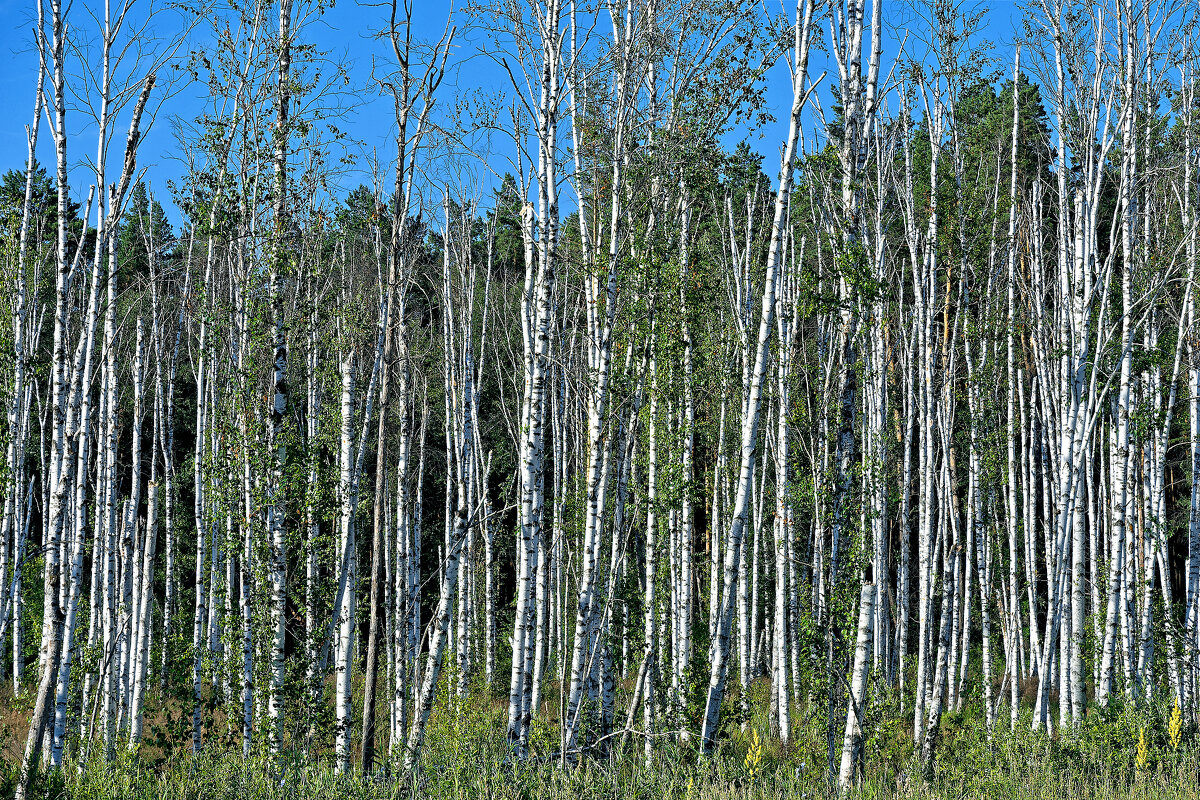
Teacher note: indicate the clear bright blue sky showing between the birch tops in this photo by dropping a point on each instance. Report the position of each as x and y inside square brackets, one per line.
[346, 32]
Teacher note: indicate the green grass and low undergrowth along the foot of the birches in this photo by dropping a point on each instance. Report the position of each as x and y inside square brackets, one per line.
[1119, 754]
